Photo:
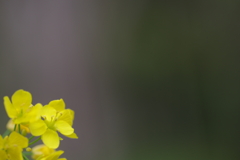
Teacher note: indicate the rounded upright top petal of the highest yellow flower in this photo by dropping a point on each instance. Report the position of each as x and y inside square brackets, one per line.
[22, 99]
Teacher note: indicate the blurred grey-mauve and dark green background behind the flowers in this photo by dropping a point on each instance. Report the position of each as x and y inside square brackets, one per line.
[148, 80]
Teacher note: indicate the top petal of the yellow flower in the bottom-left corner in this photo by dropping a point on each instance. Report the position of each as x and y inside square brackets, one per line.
[17, 139]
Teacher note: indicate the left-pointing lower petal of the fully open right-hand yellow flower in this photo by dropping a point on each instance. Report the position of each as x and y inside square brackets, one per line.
[38, 127]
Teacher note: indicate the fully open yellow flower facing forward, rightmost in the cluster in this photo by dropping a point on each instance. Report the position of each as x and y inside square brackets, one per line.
[54, 118]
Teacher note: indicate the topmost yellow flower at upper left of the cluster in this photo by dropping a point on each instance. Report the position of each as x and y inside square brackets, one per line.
[21, 109]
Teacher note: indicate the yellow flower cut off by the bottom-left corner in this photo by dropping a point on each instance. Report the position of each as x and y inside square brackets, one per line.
[11, 146]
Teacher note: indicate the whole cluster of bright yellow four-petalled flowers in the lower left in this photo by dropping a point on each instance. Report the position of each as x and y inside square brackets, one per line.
[30, 123]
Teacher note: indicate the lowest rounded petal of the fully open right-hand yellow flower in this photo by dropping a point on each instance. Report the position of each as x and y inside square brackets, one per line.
[51, 139]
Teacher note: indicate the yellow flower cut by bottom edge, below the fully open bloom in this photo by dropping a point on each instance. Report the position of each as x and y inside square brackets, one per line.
[42, 152]
